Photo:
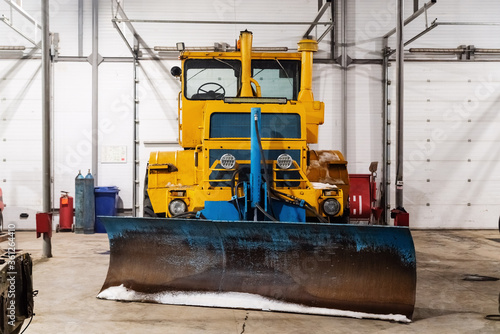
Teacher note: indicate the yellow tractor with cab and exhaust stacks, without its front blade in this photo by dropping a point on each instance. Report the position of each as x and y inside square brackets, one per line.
[219, 90]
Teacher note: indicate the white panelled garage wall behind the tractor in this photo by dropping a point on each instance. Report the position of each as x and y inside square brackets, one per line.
[367, 21]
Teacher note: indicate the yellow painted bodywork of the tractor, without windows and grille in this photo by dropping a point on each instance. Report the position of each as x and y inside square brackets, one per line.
[186, 174]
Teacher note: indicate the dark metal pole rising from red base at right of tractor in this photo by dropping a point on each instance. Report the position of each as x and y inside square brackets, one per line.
[400, 103]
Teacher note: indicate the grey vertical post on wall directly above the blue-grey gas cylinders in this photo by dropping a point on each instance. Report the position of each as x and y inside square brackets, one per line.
[95, 90]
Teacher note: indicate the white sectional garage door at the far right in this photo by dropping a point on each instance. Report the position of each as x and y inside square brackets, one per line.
[452, 144]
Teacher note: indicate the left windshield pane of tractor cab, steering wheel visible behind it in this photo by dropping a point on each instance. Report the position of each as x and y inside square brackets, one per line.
[211, 79]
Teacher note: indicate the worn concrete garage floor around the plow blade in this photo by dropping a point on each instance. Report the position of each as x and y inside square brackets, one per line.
[69, 282]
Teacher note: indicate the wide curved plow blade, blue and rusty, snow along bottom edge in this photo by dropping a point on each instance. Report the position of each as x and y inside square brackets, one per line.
[347, 270]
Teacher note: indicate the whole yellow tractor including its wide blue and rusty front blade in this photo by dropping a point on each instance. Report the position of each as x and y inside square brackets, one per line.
[246, 213]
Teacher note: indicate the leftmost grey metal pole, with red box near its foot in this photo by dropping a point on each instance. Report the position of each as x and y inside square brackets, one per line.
[46, 107]
